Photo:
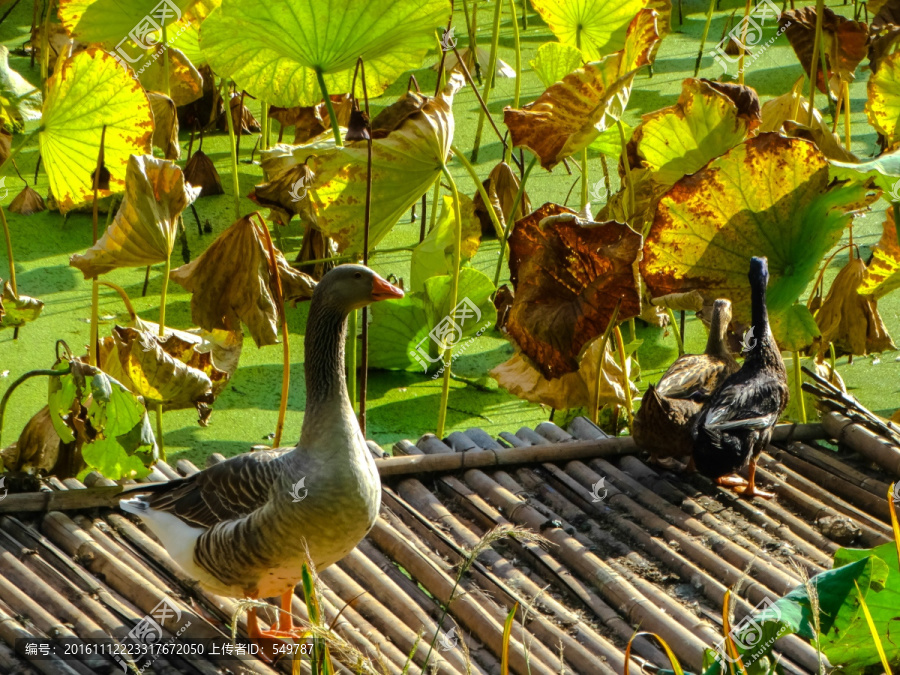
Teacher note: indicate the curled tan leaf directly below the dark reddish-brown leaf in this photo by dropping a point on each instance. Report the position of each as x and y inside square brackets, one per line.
[521, 377]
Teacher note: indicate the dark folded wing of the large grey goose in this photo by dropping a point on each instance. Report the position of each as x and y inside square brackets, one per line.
[226, 491]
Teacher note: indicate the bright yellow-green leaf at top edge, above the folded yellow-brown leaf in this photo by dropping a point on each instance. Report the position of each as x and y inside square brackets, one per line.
[596, 27]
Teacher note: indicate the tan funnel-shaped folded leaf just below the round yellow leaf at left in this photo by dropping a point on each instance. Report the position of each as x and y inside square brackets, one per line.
[144, 229]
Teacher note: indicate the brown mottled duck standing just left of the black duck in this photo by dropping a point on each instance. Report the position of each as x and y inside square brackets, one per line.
[664, 422]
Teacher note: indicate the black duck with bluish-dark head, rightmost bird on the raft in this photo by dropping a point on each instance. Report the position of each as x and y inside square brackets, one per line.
[736, 423]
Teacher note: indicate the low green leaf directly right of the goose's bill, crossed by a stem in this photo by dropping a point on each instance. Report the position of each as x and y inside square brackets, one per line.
[409, 333]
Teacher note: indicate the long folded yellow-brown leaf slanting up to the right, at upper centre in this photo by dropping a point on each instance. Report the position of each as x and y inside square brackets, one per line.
[572, 113]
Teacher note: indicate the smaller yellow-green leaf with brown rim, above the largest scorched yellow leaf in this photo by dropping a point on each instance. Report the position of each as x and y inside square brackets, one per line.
[682, 138]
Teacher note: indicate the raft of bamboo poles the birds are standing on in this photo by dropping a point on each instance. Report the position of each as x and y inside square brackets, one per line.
[658, 550]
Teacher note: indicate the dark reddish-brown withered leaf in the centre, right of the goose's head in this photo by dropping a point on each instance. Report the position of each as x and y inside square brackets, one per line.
[567, 280]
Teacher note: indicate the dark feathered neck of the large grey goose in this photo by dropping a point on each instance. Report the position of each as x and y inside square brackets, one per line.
[327, 401]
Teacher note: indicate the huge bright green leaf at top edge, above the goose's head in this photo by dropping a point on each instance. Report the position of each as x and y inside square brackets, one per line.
[274, 49]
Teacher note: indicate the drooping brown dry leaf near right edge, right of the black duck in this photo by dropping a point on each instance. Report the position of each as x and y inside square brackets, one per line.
[849, 320]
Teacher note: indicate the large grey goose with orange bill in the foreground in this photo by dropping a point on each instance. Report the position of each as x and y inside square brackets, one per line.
[245, 527]
